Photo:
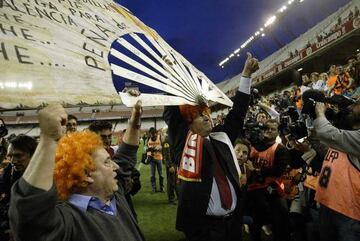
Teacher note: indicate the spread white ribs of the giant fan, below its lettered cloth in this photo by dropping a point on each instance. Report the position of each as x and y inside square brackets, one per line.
[152, 62]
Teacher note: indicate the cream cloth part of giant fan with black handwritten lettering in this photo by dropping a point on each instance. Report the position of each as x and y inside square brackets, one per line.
[55, 51]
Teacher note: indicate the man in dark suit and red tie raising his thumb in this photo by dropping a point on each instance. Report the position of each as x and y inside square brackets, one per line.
[209, 203]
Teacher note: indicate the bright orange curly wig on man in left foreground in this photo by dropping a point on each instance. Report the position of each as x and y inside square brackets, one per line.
[73, 161]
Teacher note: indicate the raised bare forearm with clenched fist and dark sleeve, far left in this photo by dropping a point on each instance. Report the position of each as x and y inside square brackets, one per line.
[33, 199]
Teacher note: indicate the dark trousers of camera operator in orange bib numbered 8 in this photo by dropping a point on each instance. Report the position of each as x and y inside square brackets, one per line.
[335, 226]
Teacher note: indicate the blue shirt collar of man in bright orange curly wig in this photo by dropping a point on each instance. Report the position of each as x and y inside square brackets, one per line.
[84, 202]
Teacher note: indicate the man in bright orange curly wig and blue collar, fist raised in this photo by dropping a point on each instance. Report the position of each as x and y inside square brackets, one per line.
[76, 169]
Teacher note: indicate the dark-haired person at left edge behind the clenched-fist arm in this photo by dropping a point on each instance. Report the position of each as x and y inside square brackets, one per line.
[20, 151]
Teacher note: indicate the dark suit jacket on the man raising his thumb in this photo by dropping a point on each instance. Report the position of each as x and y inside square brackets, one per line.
[194, 196]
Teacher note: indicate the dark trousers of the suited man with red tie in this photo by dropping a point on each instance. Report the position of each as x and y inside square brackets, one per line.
[217, 229]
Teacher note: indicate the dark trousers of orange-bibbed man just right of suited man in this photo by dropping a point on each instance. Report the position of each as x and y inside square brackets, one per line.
[266, 208]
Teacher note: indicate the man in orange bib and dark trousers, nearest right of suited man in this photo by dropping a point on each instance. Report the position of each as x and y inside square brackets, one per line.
[270, 160]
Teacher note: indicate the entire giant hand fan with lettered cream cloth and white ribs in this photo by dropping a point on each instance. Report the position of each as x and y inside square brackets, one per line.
[57, 52]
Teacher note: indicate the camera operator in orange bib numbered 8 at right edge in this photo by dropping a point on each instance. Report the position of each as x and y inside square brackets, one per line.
[338, 189]
